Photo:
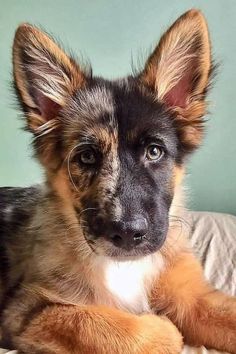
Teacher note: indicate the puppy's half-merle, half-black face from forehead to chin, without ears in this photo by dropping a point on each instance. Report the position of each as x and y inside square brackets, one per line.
[122, 149]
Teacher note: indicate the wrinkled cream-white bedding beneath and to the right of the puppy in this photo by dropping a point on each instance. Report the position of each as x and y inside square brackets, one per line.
[213, 237]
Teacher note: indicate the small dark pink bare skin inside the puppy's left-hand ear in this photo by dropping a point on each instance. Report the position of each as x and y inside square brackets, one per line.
[48, 108]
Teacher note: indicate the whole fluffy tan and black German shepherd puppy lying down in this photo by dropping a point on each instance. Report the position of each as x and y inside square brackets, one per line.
[93, 260]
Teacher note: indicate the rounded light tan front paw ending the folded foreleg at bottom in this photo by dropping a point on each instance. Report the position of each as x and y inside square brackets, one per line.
[159, 336]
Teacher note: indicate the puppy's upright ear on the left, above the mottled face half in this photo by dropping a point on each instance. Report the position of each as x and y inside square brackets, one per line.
[44, 77]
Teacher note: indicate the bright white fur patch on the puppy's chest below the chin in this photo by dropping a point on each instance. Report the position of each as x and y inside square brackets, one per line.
[127, 283]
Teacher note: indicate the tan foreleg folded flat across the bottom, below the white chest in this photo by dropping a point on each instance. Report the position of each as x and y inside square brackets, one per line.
[67, 329]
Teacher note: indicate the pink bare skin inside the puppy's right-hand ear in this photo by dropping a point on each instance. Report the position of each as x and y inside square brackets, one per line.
[178, 95]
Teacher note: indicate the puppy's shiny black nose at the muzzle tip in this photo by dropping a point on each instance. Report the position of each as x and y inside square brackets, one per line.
[128, 234]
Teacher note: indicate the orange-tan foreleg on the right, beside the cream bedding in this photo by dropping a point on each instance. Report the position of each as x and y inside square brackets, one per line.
[203, 315]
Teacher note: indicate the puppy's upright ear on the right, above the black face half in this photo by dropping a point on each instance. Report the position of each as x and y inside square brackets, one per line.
[178, 72]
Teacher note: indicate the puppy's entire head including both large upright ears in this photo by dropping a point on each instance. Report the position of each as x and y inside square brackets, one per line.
[116, 147]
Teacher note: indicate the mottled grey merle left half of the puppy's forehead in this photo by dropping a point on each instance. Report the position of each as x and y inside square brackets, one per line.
[89, 115]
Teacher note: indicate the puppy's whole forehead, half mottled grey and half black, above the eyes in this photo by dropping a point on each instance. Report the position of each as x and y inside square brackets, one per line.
[119, 108]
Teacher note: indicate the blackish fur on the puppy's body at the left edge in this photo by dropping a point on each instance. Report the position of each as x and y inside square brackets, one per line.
[16, 208]
